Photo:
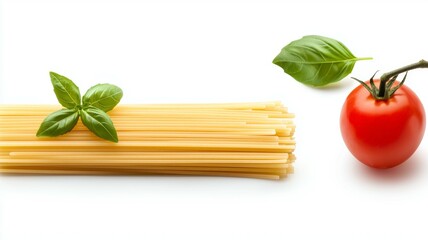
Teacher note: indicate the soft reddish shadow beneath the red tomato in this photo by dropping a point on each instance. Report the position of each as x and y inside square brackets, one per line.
[405, 171]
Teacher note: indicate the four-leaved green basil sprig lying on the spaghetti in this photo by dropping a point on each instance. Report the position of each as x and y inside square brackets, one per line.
[98, 100]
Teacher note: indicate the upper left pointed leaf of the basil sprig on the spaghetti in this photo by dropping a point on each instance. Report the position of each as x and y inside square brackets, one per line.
[66, 91]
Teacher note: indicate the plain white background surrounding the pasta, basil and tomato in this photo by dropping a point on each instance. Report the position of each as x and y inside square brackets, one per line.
[219, 51]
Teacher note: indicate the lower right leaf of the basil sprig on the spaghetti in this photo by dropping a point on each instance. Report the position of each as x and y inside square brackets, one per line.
[99, 123]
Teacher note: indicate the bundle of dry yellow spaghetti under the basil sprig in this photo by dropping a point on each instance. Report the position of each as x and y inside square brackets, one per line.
[233, 139]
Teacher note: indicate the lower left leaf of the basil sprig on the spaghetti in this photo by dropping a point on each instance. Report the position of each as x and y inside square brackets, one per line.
[58, 123]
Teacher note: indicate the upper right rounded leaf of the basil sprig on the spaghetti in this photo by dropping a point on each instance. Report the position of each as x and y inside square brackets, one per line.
[102, 96]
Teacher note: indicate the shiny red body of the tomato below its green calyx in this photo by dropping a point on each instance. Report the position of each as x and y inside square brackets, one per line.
[382, 133]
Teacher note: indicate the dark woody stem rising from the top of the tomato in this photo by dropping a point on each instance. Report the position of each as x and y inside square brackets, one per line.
[384, 92]
